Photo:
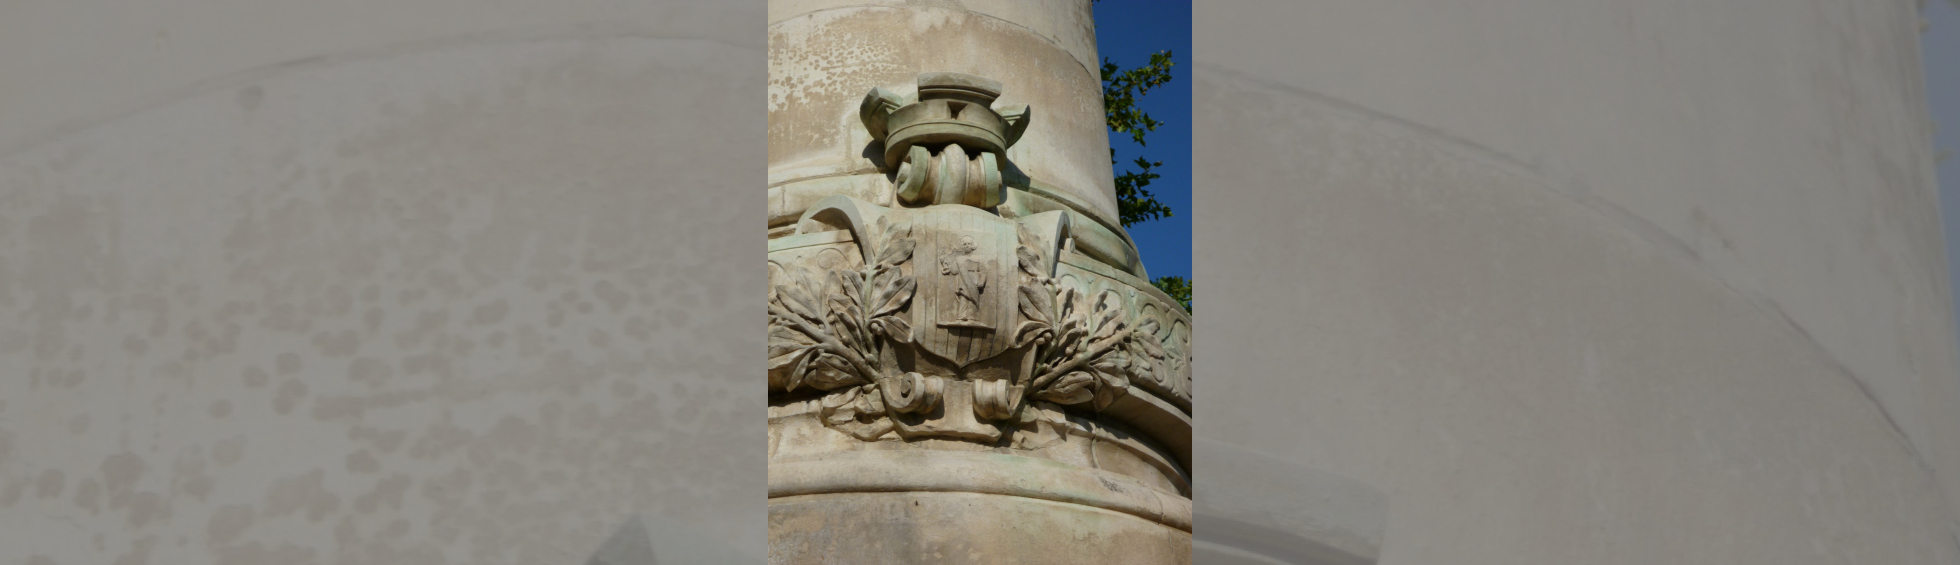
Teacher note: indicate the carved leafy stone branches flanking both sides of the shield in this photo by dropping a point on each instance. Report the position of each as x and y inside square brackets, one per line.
[836, 336]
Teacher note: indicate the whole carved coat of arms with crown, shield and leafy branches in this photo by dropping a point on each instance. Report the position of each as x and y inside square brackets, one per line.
[946, 319]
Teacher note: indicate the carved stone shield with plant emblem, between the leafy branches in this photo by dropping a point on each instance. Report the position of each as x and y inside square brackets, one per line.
[965, 266]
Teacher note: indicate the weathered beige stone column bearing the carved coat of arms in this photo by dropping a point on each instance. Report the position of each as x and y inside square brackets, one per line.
[967, 362]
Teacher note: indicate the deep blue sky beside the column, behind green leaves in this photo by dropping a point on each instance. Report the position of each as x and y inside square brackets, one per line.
[1126, 34]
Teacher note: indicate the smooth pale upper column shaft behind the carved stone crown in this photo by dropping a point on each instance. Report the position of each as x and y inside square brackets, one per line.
[826, 56]
